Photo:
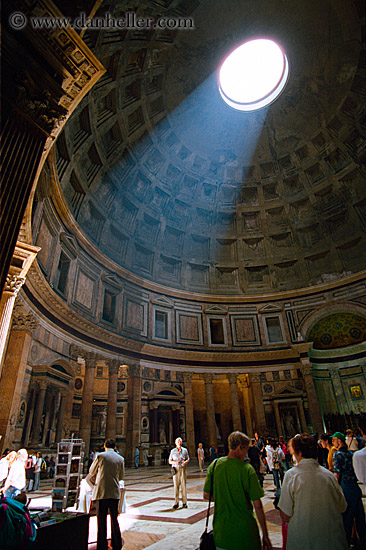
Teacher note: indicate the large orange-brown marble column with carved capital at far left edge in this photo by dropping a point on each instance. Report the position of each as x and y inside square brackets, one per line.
[15, 363]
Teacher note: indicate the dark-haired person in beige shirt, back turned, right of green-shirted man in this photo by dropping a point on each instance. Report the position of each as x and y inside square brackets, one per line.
[311, 502]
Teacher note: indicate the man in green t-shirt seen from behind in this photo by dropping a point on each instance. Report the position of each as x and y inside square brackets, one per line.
[235, 488]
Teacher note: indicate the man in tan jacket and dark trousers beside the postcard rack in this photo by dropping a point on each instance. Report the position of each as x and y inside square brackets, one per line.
[107, 470]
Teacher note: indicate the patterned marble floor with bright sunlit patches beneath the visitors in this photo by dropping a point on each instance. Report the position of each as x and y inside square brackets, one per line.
[151, 522]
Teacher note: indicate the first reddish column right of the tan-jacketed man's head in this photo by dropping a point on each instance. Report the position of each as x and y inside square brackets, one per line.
[133, 437]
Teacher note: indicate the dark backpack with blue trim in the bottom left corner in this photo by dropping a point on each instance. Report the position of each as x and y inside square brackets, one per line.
[17, 529]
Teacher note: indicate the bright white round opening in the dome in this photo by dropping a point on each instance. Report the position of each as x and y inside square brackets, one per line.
[253, 75]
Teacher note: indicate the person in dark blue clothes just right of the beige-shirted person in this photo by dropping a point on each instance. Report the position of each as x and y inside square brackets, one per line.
[345, 474]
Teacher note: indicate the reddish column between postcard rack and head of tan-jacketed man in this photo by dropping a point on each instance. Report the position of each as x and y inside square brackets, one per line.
[87, 399]
